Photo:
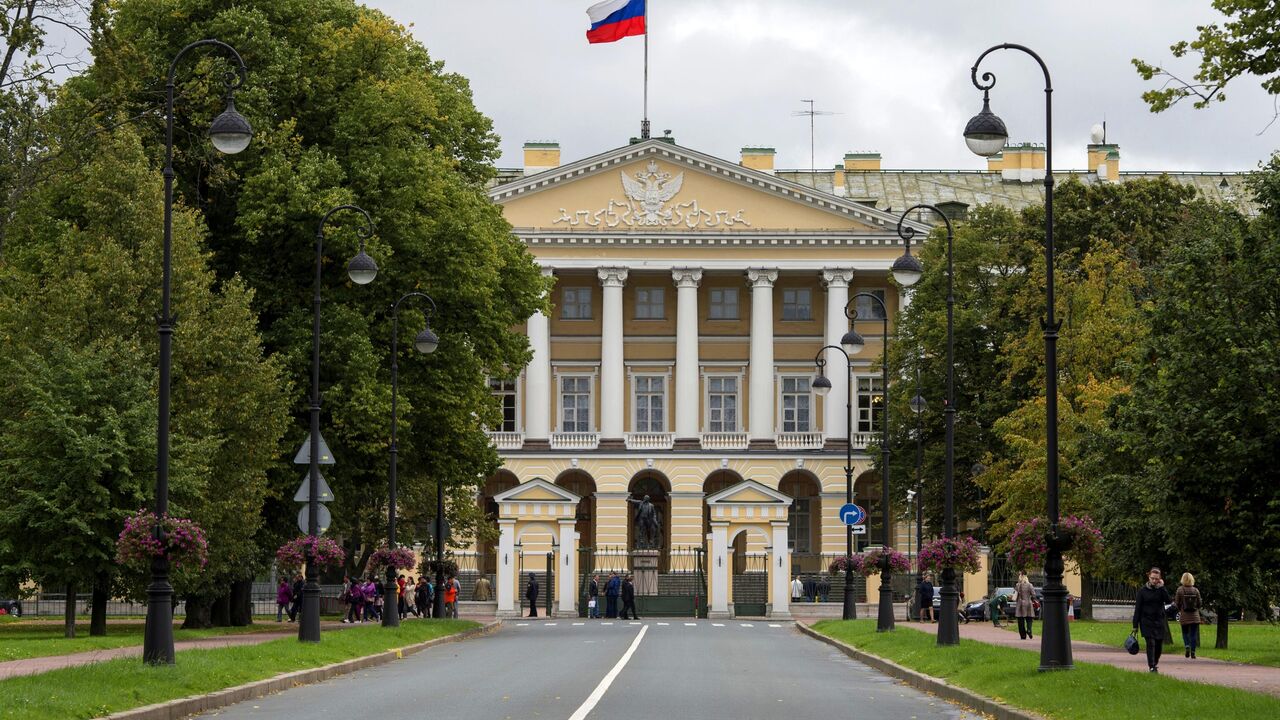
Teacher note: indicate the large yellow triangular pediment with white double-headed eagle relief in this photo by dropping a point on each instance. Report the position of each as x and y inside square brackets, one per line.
[657, 186]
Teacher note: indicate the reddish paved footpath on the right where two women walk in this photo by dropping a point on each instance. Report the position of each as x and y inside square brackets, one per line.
[1256, 678]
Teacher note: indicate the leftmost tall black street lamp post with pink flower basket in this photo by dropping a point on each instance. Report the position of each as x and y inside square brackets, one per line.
[230, 134]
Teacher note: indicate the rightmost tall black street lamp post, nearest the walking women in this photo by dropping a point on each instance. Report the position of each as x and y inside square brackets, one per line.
[986, 135]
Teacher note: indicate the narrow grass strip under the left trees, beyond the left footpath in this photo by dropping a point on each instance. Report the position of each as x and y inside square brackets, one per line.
[20, 641]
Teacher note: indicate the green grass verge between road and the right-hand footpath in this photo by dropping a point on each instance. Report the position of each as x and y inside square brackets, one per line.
[1089, 692]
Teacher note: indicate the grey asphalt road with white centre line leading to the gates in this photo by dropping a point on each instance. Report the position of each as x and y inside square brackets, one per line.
[573, 671]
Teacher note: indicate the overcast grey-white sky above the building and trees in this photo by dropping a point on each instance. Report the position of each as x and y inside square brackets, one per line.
[729, 74]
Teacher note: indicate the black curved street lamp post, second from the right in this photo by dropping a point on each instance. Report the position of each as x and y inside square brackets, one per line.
[949, 631]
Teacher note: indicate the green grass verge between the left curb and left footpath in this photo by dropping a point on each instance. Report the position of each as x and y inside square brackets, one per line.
[102, 689]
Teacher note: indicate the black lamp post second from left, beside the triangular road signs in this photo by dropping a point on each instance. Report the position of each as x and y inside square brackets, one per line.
[362, 270]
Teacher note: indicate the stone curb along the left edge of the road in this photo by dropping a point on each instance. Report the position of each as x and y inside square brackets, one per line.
[186, 707]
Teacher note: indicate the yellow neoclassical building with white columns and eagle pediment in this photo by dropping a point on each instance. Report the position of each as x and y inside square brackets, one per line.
[692, 295]
